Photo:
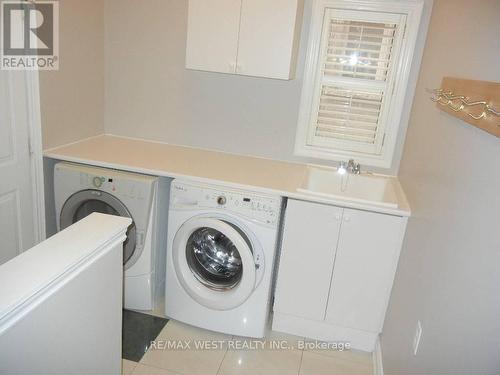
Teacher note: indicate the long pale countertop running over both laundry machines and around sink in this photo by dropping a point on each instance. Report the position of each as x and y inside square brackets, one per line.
[161, 159]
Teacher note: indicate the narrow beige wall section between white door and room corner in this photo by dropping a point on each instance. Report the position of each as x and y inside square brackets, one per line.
[72, 99]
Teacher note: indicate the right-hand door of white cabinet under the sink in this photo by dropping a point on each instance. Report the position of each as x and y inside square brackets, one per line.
[367, 256]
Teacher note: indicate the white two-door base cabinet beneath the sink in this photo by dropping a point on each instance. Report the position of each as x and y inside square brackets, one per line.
[336, 272]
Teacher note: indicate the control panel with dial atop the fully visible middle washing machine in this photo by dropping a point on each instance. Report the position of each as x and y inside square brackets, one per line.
[252, 205]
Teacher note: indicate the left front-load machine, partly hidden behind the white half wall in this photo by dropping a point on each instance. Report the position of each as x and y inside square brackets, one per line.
[80, 190]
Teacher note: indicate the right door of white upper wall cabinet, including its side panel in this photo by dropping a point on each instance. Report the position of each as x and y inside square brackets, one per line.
[269, 35]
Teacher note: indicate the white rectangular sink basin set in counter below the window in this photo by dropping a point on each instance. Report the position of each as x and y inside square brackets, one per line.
[364, 188]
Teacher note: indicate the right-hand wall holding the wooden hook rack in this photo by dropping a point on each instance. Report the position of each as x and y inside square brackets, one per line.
[449, 272]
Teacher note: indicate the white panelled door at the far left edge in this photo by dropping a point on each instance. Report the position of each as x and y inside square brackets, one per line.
[17, 209]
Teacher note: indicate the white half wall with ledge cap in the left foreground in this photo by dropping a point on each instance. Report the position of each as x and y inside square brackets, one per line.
[56, 318]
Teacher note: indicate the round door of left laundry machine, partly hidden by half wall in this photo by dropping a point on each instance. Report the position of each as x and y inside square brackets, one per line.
[85, 202]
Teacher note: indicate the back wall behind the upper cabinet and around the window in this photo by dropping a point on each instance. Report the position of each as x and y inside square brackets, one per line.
[150, 94]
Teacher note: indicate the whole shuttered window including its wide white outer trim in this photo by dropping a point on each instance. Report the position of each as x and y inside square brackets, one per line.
[356, 75]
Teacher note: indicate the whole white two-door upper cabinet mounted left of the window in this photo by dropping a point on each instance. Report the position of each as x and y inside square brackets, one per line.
[248, 37]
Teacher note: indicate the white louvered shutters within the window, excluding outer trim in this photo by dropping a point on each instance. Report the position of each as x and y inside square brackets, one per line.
[359, 50]
